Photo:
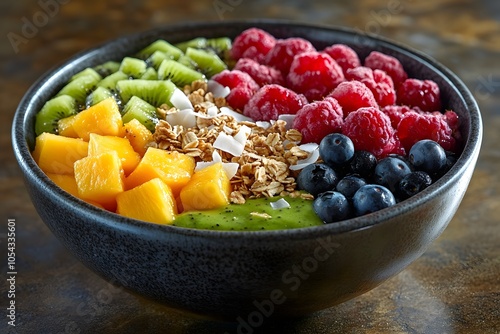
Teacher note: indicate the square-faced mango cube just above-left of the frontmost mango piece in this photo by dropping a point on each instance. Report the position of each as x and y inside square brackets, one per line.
[100, 178]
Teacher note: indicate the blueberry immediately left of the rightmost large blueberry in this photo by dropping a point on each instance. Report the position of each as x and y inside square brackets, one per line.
[389, 171]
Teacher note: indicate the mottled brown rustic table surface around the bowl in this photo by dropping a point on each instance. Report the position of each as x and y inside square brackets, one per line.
[453, 288]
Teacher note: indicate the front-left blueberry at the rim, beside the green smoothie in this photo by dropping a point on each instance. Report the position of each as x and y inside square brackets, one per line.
[332, 206]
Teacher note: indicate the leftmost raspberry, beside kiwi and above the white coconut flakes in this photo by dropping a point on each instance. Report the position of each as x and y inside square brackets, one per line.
[241, 84]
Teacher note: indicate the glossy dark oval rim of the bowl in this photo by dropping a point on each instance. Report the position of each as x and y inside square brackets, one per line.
[32, 172]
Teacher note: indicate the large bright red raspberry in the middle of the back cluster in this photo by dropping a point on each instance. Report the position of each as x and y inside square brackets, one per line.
[314, 74]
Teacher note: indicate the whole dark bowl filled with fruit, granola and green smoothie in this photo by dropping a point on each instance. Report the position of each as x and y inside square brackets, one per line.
[220, 243]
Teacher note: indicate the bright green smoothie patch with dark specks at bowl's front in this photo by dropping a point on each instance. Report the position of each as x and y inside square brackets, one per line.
[254, 215]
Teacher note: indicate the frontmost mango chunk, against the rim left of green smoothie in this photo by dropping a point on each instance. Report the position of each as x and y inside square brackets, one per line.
[152, 201]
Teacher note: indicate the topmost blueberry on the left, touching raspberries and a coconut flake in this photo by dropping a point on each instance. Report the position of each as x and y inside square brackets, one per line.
[336, 149]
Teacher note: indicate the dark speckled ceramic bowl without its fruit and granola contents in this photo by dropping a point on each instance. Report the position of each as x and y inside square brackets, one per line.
[230, 274]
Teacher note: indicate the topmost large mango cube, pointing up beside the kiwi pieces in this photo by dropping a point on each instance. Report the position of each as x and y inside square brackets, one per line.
[103, 118]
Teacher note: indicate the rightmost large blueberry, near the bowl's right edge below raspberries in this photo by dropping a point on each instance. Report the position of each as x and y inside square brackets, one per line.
[428, 156]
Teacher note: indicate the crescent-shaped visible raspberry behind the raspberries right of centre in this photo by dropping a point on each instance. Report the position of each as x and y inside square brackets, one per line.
[377, 81]
